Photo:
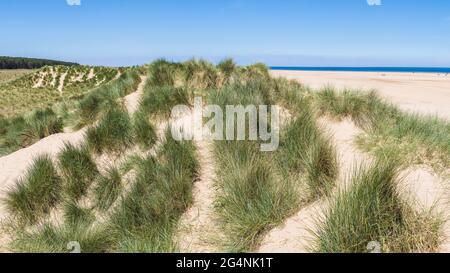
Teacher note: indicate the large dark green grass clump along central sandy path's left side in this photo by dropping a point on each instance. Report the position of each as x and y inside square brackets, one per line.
[145, 220]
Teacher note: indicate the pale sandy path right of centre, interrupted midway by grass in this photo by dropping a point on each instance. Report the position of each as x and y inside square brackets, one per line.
[296, 234]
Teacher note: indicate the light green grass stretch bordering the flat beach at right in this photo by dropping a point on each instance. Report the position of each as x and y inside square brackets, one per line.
[419, 139]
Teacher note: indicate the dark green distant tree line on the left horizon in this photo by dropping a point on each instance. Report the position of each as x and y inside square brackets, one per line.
[28, 63]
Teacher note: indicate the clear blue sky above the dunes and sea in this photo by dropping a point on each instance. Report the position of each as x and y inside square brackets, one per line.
[278, 32]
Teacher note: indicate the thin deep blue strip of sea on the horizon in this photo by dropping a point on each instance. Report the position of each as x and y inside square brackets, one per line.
[445, 70]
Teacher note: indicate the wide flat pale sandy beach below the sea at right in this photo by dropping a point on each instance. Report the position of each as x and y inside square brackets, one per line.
[426, 93]
